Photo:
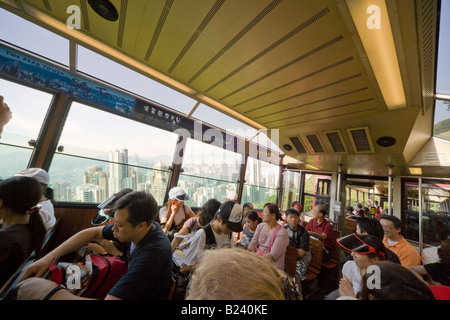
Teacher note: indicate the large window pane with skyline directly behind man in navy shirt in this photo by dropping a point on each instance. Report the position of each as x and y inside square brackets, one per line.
[99, 144]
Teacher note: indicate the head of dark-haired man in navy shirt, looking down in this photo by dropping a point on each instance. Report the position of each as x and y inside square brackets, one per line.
[134, 214]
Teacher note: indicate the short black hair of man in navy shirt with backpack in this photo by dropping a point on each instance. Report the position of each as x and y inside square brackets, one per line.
[141, 206]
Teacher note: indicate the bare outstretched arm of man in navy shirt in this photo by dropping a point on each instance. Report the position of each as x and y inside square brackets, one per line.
[39, 267]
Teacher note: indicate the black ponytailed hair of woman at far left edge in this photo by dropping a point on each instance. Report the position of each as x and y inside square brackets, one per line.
[20, 194]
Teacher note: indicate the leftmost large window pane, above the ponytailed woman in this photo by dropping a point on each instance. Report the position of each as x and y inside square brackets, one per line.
[29, 107]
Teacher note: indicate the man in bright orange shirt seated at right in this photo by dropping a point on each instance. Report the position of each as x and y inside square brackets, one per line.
[393, 240]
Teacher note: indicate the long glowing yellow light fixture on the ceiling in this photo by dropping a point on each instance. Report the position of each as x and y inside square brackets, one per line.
[371, 20]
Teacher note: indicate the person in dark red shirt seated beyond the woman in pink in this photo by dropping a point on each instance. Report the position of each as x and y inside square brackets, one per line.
[320, 228]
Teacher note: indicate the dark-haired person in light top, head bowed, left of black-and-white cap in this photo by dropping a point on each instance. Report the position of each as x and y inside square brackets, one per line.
[197, 222]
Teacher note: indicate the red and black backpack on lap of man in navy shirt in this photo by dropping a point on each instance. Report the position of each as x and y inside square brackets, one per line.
[98, 274]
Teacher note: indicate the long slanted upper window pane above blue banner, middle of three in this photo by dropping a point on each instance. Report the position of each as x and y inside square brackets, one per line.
[103, 68]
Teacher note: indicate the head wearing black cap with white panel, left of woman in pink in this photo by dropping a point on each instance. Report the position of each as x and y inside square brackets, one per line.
[229, 217]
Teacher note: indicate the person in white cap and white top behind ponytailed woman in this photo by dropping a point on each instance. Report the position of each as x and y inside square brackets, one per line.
[47, 210]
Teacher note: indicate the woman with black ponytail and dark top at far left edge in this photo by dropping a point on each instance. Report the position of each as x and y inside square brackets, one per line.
[22, 229]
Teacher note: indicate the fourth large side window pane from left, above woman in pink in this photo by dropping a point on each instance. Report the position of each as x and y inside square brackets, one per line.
[261, 183]
